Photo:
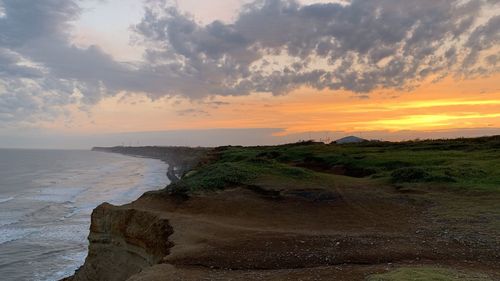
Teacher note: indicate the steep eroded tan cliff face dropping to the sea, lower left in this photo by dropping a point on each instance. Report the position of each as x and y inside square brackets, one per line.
[123, 241]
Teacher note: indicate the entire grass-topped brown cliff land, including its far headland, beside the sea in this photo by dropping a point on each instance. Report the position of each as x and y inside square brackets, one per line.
[286, 213]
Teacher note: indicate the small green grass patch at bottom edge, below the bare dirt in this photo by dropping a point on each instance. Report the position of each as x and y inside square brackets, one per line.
[428, 274]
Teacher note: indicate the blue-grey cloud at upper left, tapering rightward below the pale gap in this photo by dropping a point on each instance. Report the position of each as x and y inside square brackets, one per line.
[41, 71]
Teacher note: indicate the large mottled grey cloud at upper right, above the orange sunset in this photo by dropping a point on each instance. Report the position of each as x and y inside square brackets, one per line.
[276, 45]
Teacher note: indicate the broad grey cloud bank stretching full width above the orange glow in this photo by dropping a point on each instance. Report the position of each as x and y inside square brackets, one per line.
[272, 46]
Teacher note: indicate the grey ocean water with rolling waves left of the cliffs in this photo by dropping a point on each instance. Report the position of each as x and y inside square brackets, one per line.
[46, 198]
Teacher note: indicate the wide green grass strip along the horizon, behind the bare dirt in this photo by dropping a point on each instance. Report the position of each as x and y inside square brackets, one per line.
[461, 164]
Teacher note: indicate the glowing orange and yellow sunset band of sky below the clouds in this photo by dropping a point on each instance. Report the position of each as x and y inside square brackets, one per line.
[448, 104]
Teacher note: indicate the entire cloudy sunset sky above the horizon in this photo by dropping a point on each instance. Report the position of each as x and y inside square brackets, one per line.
[79, 73]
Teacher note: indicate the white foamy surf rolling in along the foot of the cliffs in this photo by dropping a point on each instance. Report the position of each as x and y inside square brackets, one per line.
[56, 212]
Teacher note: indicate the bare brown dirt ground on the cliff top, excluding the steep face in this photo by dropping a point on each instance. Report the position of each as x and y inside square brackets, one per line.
[323, 233]
